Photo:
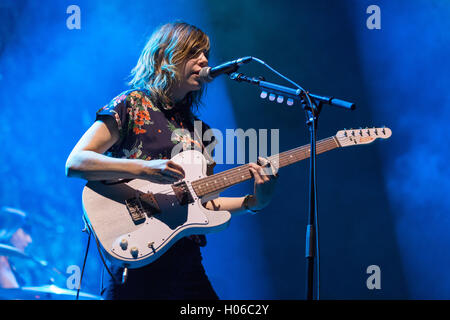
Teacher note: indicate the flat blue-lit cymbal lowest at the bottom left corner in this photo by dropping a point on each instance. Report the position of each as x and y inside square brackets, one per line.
[48, 292]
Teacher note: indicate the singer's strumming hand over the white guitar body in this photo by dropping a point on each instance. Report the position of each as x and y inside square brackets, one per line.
[162, 171]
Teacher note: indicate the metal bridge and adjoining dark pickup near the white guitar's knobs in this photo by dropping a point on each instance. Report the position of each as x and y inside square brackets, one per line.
[141, 206]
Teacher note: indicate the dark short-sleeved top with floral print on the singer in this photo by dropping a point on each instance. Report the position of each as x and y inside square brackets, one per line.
[149, 132]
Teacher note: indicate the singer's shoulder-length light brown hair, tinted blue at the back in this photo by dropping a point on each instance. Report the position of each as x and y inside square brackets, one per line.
[157, 67]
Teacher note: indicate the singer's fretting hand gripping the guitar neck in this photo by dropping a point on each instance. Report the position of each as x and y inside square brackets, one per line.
[265, 176]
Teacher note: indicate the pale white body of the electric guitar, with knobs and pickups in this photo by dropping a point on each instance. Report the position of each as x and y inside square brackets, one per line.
[136, 222]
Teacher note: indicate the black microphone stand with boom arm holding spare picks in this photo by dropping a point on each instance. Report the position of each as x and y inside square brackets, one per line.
[312, 105]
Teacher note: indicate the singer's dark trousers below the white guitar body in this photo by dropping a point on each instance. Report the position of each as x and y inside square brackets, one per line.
[177, 275]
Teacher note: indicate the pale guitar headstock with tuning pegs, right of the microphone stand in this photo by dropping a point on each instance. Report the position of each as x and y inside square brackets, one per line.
[354, 137]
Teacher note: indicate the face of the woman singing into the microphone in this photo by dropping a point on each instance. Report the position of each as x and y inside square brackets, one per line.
[190, 79]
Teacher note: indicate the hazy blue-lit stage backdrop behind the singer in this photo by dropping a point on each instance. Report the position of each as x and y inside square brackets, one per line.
[383, 204]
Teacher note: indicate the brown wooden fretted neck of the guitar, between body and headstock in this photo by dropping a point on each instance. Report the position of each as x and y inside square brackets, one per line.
[228, 178]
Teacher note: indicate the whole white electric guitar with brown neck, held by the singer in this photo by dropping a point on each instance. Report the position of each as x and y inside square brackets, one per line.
[135, 222]
